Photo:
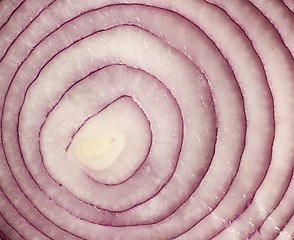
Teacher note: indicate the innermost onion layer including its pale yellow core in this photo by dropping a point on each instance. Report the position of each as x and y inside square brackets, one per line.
[112, 144]
